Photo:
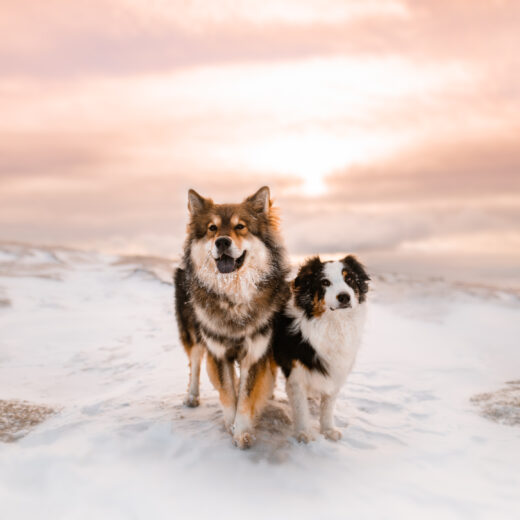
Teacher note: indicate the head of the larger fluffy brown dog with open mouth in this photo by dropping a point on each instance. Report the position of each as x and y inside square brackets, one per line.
[230, 241]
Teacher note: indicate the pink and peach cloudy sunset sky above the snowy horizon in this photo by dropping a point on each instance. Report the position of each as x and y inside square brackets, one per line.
[389, 128]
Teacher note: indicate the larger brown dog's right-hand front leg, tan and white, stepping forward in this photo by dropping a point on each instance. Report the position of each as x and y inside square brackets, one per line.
[255, 388]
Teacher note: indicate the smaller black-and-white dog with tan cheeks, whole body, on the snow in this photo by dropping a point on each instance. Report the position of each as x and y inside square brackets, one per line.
[317, 335]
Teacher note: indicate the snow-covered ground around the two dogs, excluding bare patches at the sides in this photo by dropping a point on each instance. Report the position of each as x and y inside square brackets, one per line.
[93, 337]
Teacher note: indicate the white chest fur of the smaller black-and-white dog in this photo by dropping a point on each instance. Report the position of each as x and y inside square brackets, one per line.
[336, 337]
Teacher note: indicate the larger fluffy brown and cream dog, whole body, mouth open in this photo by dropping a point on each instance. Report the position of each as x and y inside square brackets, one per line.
[231, 283]
